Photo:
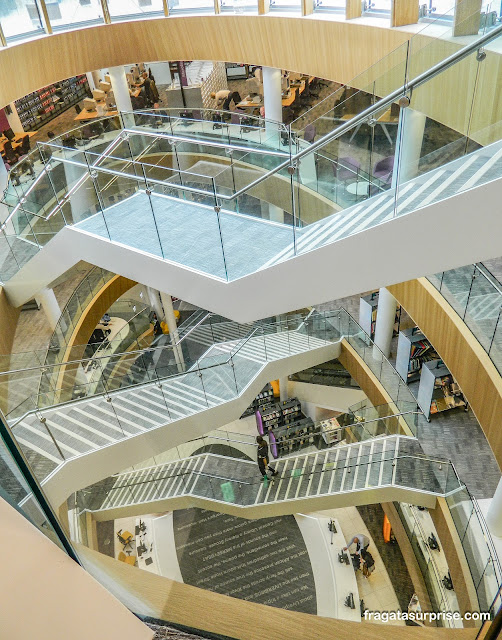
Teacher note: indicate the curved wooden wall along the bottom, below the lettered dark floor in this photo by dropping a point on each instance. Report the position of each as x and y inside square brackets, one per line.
[152, 595]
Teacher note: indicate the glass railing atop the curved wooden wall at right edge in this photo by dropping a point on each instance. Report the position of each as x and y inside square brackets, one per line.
[476, 296]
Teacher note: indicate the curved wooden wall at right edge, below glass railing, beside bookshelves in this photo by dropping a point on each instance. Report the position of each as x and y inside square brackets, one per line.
[463, 355]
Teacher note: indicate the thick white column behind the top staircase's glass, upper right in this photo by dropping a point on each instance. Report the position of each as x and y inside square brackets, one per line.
[410, 135]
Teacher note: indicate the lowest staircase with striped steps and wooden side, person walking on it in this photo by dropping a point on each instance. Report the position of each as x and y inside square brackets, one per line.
[371, 471]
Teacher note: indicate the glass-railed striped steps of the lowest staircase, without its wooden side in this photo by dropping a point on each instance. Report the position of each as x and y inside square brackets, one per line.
[351, 472]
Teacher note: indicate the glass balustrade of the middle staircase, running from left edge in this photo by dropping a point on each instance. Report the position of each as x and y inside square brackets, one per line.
[210, 376]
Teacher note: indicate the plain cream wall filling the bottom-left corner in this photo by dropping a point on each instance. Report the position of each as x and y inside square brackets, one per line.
[47, 596]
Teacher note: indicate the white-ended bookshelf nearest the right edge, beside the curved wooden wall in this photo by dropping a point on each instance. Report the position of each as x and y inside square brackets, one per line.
[438, 391]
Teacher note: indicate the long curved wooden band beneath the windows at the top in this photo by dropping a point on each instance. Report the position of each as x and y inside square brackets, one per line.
[335, 50]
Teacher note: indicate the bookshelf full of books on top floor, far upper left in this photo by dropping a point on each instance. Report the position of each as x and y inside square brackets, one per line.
[42, 106]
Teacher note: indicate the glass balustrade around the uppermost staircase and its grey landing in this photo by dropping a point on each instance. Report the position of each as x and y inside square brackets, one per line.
[280, 211]
